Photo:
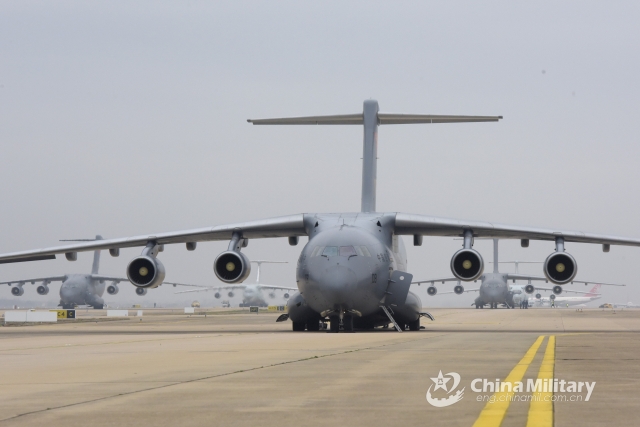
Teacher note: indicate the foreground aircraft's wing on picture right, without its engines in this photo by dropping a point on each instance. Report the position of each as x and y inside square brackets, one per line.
[407, 224]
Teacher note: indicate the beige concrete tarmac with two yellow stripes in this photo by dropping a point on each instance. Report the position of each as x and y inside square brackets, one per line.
[234, 368]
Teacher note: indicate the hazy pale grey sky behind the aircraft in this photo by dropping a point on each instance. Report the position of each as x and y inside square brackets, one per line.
[124, 118]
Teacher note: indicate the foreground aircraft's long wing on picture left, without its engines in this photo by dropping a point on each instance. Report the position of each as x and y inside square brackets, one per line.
[292, 225]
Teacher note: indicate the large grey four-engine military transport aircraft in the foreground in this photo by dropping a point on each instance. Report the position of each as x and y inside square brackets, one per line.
[353, 269]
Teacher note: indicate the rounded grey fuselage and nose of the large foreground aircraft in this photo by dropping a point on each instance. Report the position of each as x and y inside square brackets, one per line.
[347, 263]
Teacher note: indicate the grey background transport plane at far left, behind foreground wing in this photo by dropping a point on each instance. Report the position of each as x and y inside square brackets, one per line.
[76, 289]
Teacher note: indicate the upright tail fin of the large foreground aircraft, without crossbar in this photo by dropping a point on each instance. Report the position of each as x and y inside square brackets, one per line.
[369, 155]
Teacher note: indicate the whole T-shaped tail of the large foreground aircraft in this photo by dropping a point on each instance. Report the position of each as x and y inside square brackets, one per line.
[370, 118]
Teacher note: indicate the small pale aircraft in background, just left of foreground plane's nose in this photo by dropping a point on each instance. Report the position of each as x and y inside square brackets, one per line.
[252, 295]
